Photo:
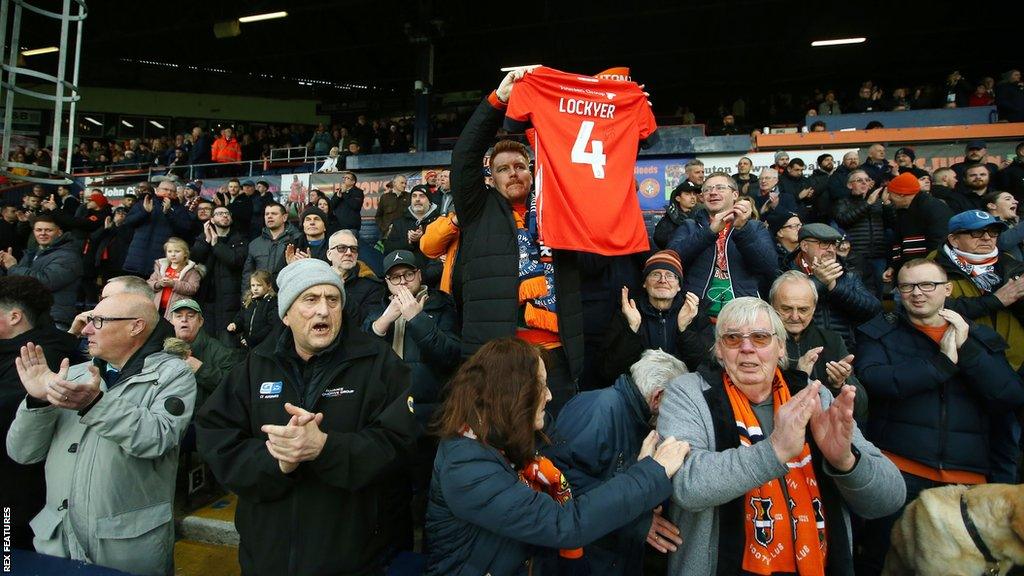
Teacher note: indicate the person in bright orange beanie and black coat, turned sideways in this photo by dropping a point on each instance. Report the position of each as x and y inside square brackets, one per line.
[921, 222]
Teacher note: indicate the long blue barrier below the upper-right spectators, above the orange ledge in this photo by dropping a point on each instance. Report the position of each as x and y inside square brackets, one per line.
[911, 118]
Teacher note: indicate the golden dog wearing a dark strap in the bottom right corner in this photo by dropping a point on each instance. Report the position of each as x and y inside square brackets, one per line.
[930, 540]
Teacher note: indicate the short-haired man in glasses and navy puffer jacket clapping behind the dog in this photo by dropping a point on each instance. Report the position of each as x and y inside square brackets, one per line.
[942, 395]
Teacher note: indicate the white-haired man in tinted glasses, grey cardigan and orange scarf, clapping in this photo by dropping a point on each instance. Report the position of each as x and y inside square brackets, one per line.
[777, 464]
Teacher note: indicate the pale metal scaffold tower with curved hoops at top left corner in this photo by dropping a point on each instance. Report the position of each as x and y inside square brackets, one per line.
[64, 93]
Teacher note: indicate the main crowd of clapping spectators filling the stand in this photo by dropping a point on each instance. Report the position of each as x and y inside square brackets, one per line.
[829, 344]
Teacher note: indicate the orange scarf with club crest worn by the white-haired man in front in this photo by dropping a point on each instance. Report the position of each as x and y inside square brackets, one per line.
[786, 530]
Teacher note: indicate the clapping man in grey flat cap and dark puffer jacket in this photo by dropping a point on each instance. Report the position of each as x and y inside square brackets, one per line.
[843, 302]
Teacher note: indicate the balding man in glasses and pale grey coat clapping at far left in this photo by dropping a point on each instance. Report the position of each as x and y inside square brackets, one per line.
[109, 431]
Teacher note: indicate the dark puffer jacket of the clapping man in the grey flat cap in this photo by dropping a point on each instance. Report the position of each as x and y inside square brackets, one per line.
[844, 308]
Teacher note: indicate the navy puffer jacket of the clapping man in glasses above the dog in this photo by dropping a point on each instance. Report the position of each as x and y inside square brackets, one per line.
[926, 408]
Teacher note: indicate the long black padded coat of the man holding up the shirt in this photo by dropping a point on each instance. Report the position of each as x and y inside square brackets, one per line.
[491, 277]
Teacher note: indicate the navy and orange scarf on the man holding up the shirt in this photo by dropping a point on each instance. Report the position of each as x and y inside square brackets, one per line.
[537, 274]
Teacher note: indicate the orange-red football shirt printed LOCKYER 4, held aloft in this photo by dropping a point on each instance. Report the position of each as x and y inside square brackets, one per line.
[587, 133]
